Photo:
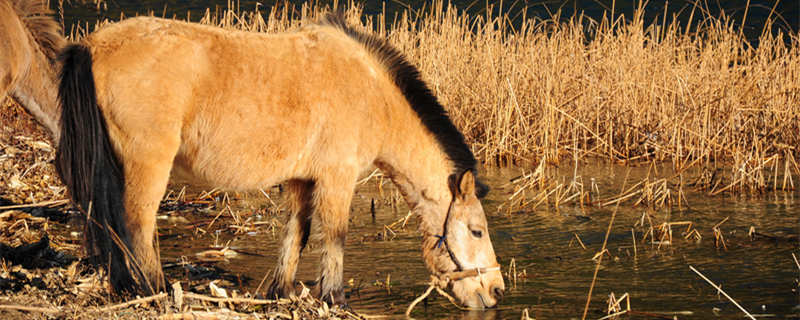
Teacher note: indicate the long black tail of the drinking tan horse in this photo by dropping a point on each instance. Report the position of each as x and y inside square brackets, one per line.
[88, 166]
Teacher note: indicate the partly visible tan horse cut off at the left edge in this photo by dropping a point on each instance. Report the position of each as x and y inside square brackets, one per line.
[30, 40]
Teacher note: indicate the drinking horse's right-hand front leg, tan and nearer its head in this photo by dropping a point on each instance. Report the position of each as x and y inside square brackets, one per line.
[332, 199]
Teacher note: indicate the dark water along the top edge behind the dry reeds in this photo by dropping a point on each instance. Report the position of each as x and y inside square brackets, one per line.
[786, 13]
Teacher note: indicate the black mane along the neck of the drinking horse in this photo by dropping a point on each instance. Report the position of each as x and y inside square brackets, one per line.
[406, 76]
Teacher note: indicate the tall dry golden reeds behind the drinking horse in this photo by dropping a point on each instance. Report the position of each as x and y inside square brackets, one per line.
[542, 93]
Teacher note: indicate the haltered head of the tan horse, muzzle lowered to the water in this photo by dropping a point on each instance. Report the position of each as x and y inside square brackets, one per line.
[462, 253]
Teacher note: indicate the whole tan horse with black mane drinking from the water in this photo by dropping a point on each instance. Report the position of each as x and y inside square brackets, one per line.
[146, 98]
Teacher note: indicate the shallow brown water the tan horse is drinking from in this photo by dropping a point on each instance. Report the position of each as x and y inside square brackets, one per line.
[759, 274]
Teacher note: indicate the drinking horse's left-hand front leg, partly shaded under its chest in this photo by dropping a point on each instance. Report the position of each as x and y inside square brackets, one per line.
[297, 230]
